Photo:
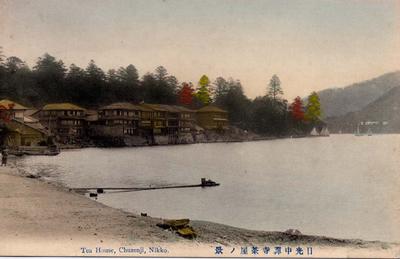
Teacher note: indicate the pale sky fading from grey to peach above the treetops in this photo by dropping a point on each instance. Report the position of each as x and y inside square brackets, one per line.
[310, 44]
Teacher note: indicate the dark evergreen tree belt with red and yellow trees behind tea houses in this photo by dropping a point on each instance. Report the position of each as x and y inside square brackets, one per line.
[51, 81]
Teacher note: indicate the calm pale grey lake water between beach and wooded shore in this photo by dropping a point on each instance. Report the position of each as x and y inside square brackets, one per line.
[341, 186]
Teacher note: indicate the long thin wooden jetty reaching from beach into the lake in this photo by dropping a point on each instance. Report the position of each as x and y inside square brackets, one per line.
[204, 183]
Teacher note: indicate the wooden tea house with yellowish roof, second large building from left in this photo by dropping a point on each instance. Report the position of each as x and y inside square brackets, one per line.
[65, 120]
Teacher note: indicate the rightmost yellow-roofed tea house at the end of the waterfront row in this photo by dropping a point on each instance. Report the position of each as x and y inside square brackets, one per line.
[212, 118]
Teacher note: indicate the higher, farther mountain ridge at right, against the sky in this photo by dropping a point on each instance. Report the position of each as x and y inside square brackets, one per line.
[340, 101]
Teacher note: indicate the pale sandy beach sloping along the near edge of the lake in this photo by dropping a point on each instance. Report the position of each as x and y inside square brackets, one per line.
[40, 218]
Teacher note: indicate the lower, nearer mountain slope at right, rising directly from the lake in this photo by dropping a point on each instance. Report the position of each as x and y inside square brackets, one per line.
[380, 116]
